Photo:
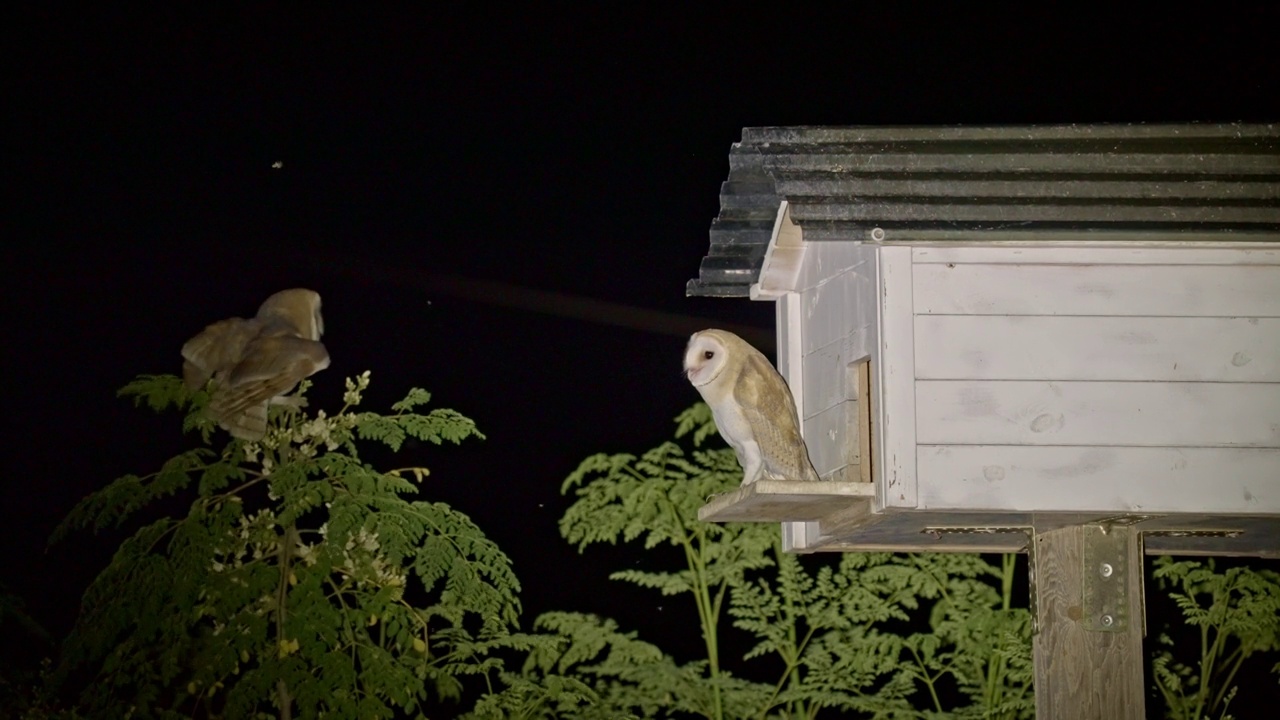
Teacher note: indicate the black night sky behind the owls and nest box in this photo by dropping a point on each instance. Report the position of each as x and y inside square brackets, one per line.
[572, 152]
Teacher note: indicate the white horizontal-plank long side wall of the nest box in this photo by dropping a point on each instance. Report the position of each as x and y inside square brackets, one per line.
[1150, 385]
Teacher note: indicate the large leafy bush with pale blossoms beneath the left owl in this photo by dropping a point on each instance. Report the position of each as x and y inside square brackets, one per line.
[299, 581]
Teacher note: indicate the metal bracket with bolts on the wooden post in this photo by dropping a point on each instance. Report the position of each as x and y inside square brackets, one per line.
[1107, 578]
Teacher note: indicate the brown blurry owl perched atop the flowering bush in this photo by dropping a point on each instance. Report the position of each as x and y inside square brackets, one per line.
[257, 362]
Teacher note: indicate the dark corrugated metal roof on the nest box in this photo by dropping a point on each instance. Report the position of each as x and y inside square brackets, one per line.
[993, 184]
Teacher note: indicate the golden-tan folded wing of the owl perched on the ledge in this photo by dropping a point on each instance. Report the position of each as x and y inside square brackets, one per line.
[770, 409]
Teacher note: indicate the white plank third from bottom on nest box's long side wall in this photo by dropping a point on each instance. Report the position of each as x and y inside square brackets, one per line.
[1098, 349]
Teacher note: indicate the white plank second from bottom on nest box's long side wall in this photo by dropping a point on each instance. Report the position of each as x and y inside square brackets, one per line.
[1098, 413]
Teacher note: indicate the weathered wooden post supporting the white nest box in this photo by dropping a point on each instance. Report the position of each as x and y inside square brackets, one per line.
[1084, 675]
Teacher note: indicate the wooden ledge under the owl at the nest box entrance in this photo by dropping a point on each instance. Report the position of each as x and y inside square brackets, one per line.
[785, 502]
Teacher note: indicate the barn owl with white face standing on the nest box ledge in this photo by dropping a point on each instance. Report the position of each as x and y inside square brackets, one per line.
[752, 404]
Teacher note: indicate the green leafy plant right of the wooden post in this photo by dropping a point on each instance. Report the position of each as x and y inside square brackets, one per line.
[1237, 613]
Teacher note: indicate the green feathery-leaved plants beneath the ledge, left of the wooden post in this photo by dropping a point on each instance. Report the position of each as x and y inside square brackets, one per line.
[828, 634]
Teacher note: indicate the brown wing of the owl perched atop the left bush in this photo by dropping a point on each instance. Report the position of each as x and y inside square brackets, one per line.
[271, 368]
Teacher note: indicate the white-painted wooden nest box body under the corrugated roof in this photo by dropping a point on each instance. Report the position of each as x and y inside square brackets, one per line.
[1069, 381]
